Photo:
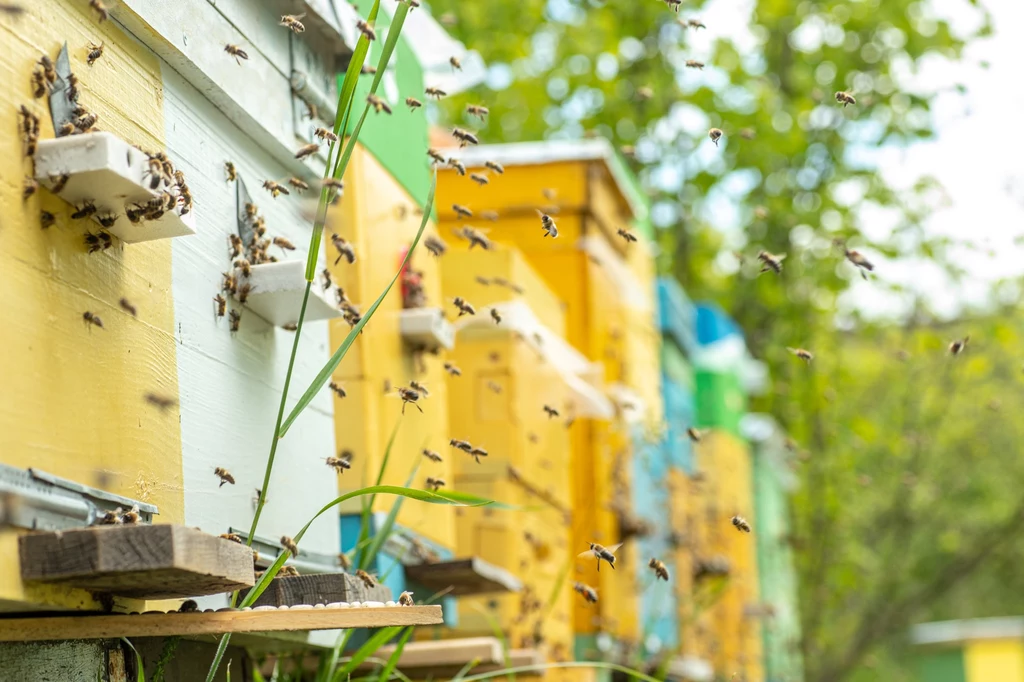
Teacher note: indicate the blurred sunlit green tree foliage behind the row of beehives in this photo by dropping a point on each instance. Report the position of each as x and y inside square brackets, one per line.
[908, 492]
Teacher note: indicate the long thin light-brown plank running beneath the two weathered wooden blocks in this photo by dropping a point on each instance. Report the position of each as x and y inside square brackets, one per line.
[204, 623]
